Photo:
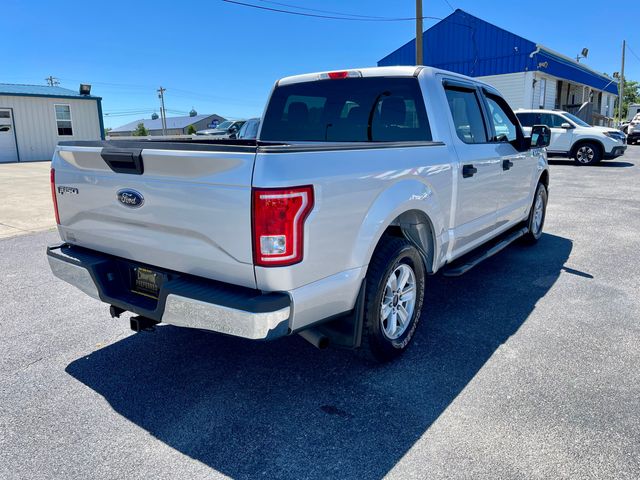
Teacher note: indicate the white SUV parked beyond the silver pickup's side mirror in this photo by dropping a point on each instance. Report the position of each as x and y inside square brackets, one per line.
[575, 138]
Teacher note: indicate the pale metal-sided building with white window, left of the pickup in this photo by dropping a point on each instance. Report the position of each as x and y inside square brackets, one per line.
[34, 118]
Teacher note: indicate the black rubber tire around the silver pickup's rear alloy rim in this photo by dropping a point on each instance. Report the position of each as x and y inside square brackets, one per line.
[390, 256]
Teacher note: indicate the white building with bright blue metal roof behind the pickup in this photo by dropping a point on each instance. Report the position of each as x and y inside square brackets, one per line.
[528, 74]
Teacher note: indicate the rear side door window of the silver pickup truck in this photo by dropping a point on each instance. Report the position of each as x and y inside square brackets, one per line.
[466, 112]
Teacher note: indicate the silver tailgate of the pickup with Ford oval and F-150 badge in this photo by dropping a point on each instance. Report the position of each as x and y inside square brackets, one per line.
[191, 212]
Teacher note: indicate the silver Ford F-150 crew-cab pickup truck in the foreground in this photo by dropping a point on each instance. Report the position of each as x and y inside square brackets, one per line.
[361, 183]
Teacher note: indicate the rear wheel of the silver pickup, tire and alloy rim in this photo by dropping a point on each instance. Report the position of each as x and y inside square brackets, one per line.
[393, 299]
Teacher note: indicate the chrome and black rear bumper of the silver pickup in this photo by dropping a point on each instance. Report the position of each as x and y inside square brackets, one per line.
[183, 300]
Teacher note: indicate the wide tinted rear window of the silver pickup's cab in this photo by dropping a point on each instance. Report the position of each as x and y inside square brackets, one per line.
[370, 109]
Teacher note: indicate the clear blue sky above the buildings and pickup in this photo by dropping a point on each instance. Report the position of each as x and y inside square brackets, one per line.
[223, 58]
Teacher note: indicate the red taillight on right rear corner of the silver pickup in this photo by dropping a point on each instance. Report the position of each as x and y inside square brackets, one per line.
[278, 224]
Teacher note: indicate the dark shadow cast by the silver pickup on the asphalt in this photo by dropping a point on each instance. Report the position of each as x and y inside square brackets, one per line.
[286, 410]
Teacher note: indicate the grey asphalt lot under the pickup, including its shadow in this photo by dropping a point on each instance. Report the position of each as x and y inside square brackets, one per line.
[526, 367]
